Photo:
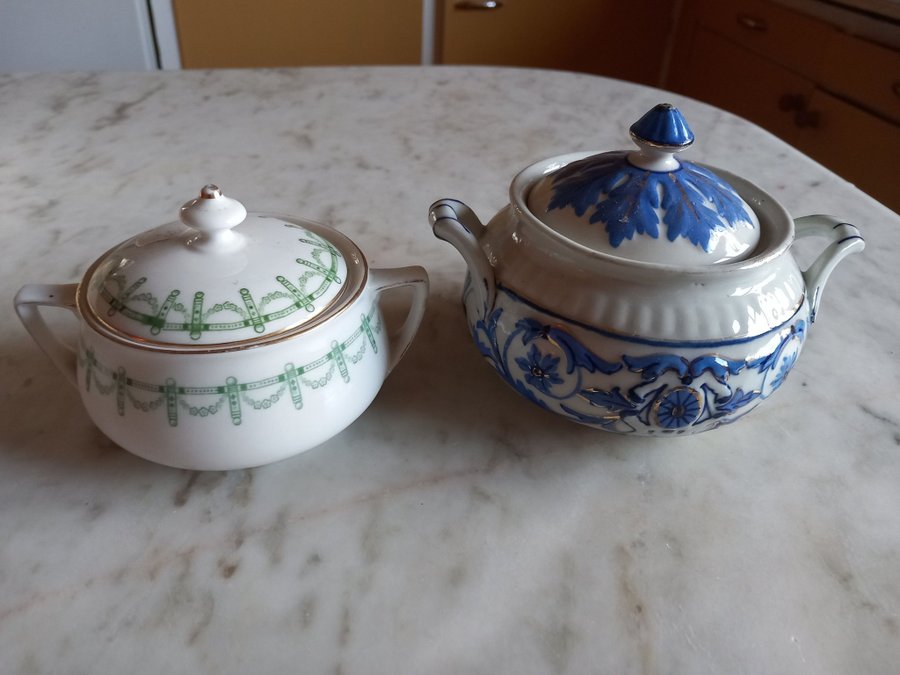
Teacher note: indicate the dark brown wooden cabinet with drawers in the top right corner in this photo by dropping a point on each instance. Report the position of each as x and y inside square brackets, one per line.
[834, 96]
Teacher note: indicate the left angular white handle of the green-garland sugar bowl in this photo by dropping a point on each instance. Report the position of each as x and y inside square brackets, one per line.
[28, 300]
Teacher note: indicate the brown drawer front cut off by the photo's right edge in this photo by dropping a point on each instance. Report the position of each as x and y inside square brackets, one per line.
[863, 71]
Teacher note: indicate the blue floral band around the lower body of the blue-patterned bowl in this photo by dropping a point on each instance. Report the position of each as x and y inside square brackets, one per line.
[658, 392]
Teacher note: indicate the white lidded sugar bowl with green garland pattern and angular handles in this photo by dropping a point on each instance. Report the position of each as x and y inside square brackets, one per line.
[228, 340]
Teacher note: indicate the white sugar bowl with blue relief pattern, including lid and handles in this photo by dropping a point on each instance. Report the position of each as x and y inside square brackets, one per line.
[639, 293]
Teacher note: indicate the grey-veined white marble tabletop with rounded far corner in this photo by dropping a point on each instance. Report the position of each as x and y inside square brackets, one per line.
[453, 528]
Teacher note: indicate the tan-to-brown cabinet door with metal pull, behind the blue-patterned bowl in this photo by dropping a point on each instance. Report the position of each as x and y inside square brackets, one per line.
[606, 37]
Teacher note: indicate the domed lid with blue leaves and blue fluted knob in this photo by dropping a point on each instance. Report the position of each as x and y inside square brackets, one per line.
[646, 204]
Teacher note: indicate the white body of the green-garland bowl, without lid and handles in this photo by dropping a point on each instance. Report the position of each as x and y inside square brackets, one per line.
[235, 408]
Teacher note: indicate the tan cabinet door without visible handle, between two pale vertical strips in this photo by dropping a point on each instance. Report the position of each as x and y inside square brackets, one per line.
[270, 33]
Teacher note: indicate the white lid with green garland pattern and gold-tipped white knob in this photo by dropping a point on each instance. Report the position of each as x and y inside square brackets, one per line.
[221, 277]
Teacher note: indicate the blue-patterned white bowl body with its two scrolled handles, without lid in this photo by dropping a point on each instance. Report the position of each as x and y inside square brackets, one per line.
[632, 346]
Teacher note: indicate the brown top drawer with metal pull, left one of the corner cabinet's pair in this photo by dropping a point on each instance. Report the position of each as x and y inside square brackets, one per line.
[768, 29]
